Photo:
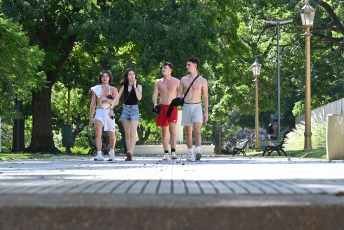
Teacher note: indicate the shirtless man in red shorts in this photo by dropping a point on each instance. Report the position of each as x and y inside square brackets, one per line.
[168, 88]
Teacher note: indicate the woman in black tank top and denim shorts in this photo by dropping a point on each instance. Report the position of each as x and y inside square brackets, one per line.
[130, 115]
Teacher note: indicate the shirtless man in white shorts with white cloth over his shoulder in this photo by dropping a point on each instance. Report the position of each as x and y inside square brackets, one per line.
[104, 113]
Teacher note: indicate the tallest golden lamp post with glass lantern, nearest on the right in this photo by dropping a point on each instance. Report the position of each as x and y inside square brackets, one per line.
[307, 16]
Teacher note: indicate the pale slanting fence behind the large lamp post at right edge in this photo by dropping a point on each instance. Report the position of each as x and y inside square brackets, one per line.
[336, 107]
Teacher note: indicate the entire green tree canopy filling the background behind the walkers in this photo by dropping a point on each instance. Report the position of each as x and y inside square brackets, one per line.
[81, 38]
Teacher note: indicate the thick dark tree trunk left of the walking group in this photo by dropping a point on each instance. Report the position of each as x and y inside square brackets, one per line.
[42, 135]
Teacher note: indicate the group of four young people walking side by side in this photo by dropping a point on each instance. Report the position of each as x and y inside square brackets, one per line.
[173, 92]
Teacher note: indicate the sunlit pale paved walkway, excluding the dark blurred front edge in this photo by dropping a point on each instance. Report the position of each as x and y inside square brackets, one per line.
[150, 175]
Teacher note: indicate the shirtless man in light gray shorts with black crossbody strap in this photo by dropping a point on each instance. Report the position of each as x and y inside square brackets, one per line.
[193, 116]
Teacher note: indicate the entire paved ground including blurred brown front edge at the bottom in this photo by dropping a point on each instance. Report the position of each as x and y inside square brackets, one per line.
[147, 193]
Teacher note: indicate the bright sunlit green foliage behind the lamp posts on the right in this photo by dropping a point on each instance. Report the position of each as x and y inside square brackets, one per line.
[260, 38]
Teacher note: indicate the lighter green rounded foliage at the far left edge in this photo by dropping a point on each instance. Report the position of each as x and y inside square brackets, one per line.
[19, 63]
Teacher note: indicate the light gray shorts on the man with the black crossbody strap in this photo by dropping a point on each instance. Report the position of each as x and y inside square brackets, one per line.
[192, 113]
